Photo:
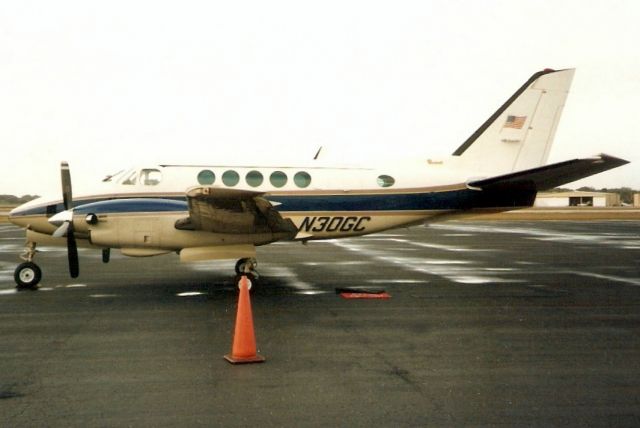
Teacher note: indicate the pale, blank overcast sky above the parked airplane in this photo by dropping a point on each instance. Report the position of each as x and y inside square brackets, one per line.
[107, 85]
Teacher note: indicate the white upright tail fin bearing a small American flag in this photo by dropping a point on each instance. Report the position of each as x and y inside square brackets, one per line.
[519, 134]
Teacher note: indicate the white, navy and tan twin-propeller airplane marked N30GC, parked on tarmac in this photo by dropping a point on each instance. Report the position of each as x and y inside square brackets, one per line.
[206, 212]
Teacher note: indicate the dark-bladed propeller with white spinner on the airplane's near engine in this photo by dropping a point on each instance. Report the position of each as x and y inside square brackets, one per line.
[64, 221]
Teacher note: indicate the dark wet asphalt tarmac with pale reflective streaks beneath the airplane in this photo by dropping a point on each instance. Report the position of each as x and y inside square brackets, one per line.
[489, 323]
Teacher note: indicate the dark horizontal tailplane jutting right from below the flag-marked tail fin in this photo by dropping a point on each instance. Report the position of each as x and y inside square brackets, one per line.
[550, 176]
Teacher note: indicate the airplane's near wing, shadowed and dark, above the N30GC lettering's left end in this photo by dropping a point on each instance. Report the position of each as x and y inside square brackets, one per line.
[233, 211]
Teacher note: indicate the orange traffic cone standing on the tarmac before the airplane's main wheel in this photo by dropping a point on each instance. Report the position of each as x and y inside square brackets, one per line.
[244, 339]
